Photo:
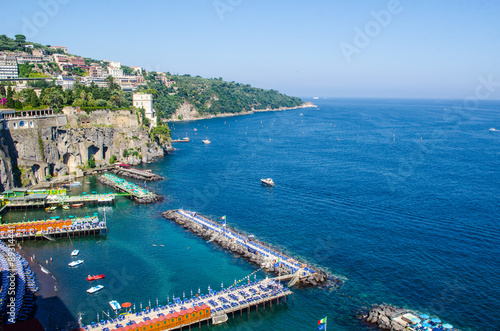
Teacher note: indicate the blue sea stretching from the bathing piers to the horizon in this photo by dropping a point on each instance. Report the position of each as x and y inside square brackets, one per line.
[398, 197]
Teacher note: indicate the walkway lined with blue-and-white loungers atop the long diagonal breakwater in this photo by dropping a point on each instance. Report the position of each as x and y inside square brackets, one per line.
[271, 256]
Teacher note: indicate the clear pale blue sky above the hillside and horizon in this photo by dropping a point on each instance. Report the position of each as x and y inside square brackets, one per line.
[428, 49]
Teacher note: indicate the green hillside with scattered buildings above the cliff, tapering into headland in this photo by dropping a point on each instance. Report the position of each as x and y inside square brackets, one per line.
[100, 84]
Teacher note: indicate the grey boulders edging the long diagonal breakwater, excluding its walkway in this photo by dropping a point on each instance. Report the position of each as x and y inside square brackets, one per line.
[318, 278]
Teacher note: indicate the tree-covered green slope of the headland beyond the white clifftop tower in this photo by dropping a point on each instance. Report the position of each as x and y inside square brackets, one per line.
[213, 96]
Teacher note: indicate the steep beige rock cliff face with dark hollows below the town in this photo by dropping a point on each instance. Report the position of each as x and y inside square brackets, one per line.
[62, 150]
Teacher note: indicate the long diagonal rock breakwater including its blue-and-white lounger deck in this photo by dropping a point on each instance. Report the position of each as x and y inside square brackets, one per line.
[258, 253]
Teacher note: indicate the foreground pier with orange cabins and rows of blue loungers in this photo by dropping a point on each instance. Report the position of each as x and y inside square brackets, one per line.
[214, 307]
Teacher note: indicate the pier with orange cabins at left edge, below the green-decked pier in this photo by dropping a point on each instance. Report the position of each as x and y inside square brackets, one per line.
[53, 228]
